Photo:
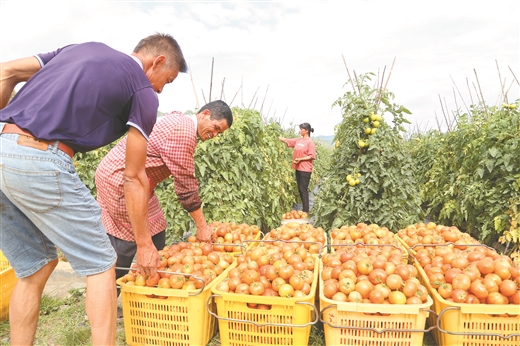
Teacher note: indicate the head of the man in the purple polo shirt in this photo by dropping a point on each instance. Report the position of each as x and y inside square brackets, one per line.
[162, 59]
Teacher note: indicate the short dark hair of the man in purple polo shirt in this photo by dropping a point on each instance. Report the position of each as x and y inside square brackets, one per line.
[163, 44]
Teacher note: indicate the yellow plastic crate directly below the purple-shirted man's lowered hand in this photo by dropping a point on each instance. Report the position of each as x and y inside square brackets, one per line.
[181, 319]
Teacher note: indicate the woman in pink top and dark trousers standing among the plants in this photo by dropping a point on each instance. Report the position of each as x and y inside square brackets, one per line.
[304, 154]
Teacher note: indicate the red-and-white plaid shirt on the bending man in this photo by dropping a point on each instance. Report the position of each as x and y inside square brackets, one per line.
[170, 151]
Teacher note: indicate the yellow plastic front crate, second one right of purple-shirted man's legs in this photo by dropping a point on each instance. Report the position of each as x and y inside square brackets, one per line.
[288, 322]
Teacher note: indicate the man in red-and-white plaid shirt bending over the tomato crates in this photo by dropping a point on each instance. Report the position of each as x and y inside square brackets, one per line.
[170, 151]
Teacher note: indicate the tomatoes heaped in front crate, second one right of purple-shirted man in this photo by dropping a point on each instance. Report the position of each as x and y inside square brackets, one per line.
[272, 269]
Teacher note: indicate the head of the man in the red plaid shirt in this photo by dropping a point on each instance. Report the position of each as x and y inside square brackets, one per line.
[212, 119]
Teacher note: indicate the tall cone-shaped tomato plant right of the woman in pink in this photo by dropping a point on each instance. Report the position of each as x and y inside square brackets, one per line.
[387, 193]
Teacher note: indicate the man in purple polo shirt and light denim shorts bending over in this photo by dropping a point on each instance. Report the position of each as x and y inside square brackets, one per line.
[75, 99]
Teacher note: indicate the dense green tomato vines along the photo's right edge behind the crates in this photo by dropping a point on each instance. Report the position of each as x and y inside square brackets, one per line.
[473, 175]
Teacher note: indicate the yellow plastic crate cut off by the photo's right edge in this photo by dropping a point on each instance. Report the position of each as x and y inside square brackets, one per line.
[472, 324]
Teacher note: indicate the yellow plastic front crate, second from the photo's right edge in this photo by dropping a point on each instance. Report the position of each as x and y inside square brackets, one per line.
[358, 324]
